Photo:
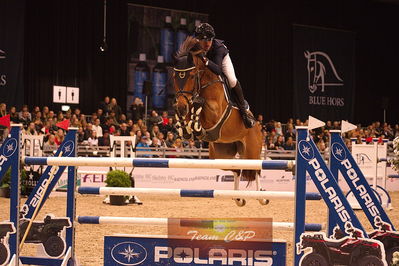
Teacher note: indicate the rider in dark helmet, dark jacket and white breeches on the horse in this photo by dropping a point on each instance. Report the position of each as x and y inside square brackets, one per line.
[217, 59]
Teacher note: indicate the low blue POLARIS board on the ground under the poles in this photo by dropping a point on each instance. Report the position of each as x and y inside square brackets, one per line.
[152, 250]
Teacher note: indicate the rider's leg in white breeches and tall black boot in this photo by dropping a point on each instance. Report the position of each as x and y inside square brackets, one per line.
[228, 70]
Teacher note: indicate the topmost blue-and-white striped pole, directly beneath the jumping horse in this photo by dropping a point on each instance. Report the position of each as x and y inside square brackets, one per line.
[163, 163]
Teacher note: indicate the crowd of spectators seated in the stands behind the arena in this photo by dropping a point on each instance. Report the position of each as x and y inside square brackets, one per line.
[158, 130]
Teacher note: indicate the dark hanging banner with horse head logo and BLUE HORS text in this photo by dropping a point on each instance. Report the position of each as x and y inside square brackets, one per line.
[324, 73]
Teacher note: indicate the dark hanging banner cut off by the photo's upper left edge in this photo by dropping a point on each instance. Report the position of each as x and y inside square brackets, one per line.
[12, 52]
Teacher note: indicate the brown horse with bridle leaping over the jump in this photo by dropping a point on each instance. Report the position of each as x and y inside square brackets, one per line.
[203, 109]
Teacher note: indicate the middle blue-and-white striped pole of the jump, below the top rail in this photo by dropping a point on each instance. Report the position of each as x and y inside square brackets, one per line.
[219, 194]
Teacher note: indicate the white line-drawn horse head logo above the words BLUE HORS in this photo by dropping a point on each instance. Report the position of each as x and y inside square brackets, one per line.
[317, 71]
